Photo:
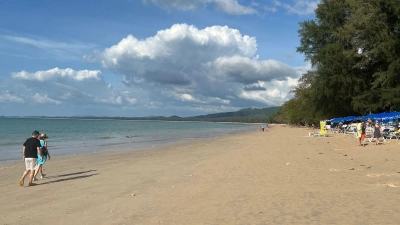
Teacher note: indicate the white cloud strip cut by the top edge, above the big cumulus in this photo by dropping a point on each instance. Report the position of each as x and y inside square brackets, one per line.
[232, 7]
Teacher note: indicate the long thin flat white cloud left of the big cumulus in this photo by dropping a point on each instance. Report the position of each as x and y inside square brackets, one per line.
[55, 73]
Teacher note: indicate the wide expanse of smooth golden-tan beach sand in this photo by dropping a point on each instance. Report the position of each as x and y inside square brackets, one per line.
[277, 177]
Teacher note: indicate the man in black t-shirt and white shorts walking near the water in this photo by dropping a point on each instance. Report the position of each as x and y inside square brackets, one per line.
[30, 152]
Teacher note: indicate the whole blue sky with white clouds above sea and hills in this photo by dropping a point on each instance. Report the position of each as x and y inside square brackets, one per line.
[148, 57]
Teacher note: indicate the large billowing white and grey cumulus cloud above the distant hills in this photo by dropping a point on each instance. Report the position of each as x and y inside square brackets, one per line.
[213, 66]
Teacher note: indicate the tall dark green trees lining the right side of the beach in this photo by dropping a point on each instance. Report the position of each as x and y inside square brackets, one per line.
[353, 47]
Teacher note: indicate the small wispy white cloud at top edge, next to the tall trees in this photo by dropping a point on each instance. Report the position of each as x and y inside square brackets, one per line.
[299, 7]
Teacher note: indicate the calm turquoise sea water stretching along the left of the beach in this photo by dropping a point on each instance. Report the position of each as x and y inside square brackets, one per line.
[74, 136]
